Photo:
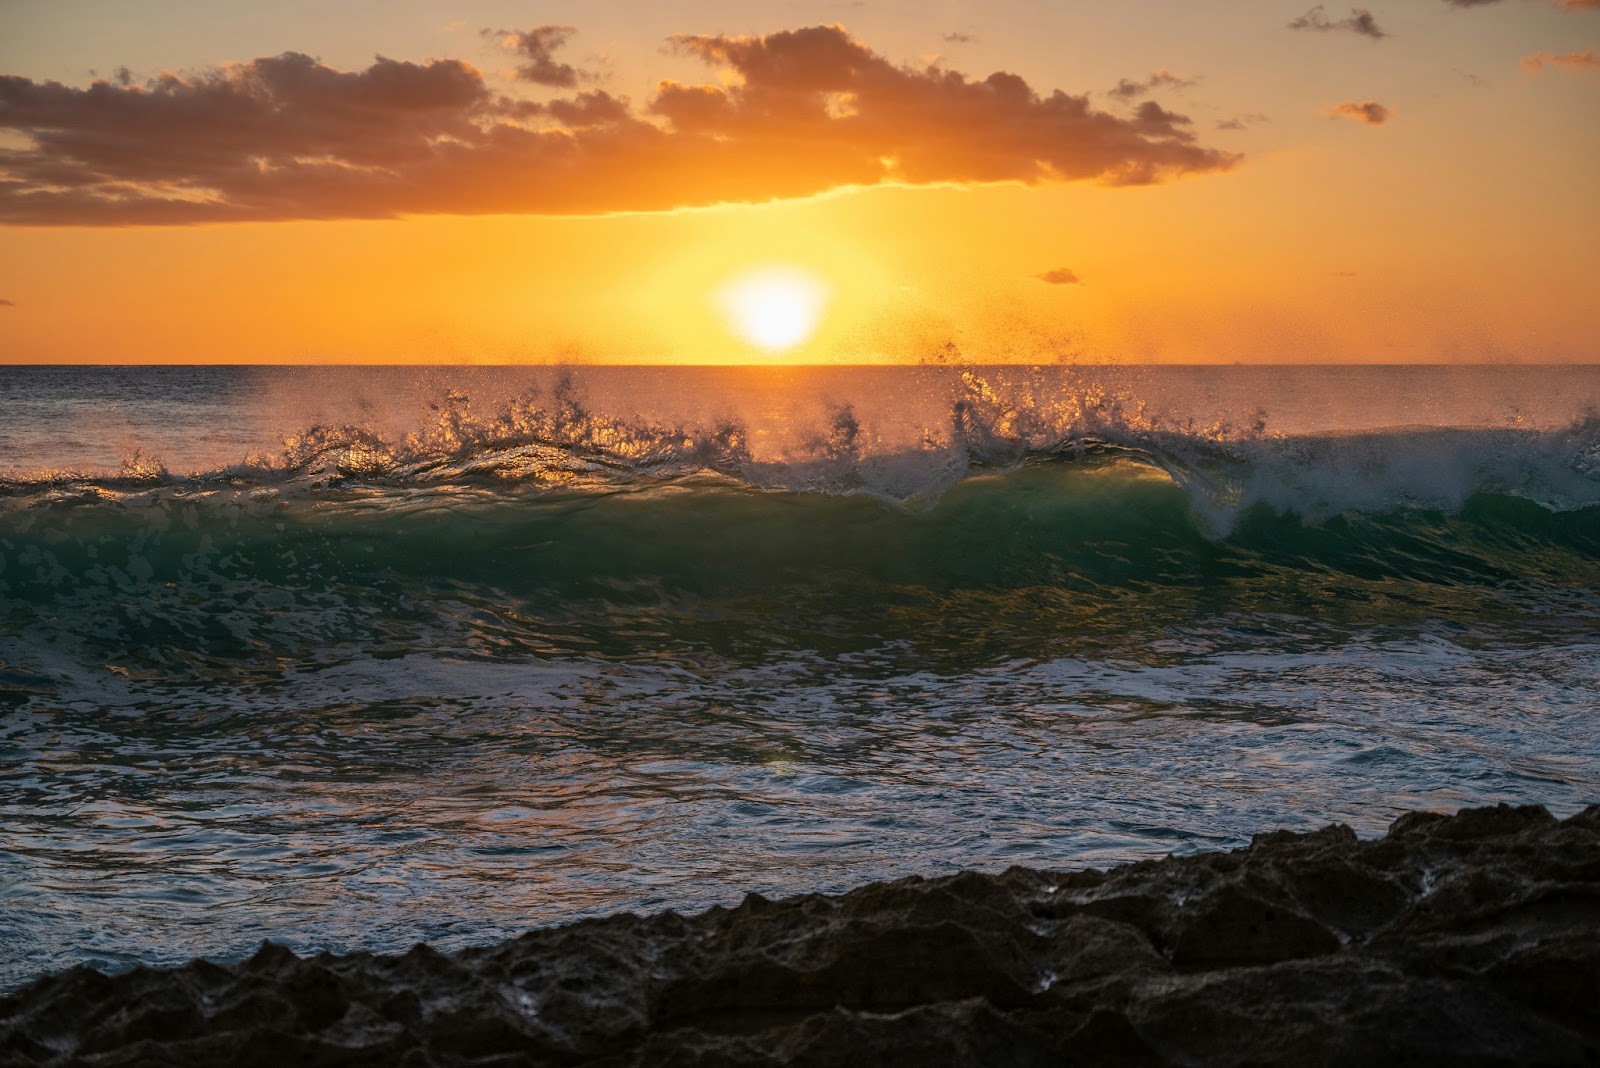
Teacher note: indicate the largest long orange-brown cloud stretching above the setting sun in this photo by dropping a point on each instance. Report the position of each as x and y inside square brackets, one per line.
[788, 114]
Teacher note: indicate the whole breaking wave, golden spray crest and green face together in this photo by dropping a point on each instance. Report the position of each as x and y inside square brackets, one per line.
[1012, 530]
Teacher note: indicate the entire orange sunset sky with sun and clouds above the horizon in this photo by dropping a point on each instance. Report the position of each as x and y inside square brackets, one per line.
[455, 183]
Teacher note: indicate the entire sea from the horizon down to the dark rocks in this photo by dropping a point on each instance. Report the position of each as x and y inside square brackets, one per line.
[359, 658]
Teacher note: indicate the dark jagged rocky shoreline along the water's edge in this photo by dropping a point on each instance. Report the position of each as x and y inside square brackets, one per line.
[1471, 939]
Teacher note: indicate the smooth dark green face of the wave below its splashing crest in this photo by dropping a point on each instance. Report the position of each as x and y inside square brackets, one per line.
[1054, 559]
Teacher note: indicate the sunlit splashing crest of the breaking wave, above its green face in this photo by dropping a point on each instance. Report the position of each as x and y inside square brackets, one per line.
[554, 442]
